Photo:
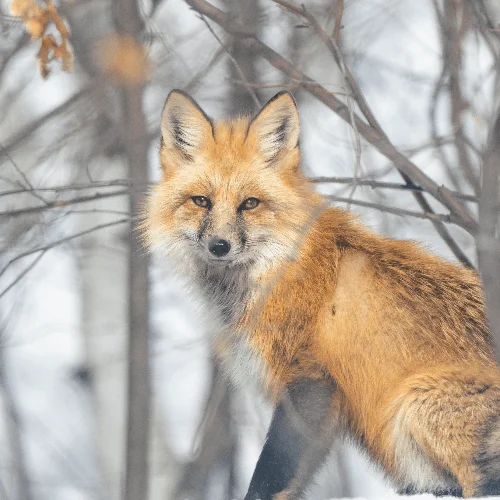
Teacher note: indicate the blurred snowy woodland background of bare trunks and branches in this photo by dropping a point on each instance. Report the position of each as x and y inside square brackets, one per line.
[396, 98]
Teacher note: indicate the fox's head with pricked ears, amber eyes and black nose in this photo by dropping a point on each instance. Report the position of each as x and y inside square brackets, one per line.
[232, 192]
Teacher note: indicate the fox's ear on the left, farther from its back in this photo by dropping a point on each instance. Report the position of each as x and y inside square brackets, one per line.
[184, 125]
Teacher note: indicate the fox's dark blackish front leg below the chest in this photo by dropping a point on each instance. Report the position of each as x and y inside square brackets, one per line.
[298, 440]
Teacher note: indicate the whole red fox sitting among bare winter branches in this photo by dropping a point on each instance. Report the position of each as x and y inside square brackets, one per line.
[350, 334]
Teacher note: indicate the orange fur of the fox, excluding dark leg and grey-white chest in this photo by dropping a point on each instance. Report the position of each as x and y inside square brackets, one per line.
[401, 331]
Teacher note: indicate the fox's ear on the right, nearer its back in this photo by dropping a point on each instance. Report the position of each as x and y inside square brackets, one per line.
[276, 127]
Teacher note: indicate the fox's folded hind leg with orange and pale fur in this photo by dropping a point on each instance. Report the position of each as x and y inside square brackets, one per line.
[441, 423]
